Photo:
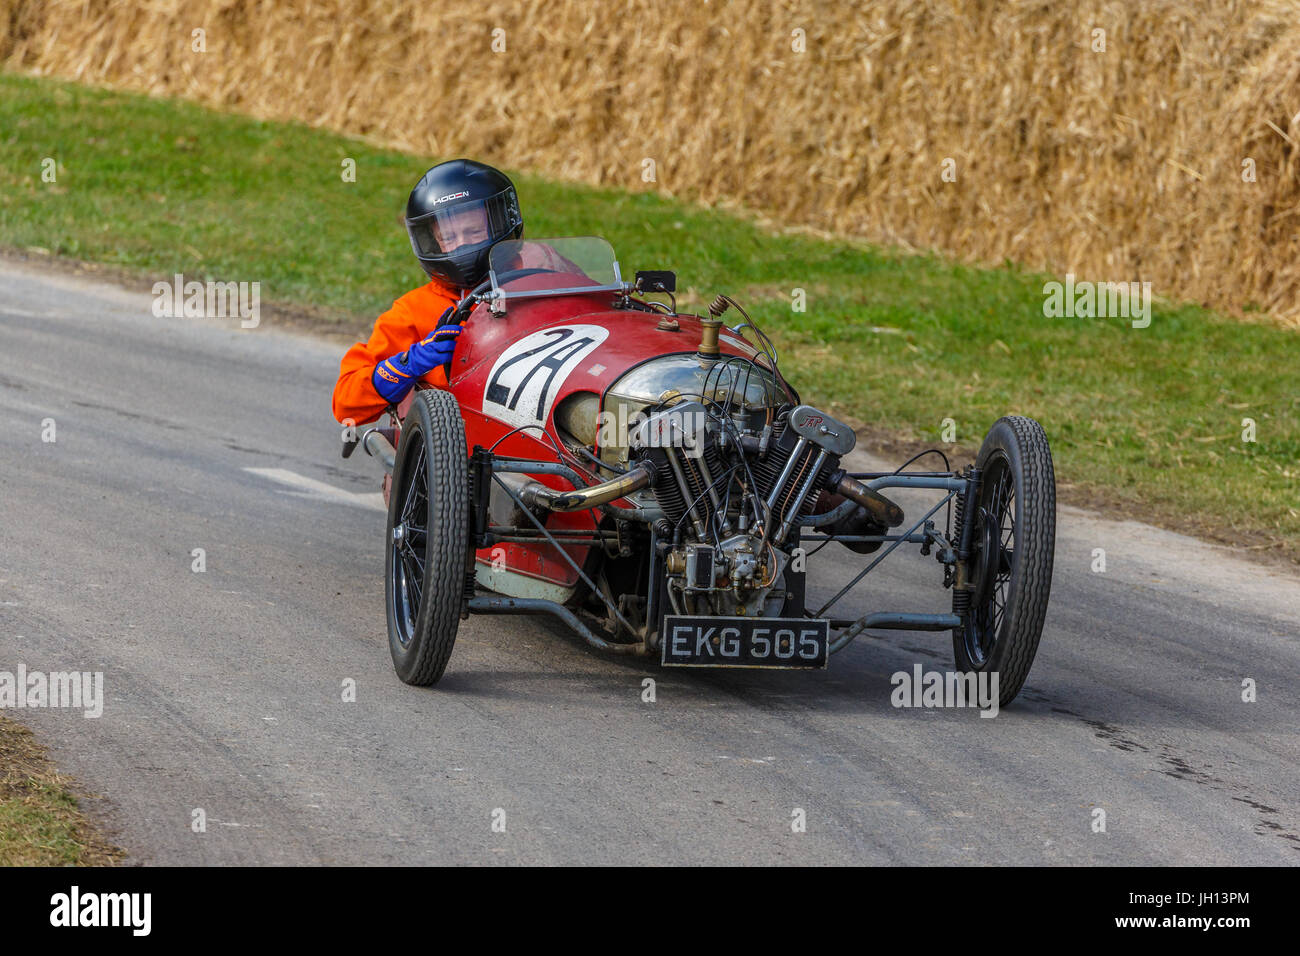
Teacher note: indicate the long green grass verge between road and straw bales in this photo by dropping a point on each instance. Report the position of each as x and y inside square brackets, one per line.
[1143, 422]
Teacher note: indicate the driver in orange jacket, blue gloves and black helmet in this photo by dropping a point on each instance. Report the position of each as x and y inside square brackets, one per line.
[454, 217]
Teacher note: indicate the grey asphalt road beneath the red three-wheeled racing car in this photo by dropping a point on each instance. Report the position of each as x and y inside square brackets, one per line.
[224, 689]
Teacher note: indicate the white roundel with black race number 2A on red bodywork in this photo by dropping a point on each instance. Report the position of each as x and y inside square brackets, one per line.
[527, 378]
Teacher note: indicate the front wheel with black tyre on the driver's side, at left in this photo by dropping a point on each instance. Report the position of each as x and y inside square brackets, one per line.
[428, 537]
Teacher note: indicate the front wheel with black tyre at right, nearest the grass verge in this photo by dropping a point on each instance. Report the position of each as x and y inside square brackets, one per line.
[1013, 543]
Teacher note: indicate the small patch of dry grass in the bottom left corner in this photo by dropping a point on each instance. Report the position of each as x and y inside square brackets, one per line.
[41, 820]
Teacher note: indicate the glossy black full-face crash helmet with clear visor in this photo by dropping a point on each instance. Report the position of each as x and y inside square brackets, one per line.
[456, 215]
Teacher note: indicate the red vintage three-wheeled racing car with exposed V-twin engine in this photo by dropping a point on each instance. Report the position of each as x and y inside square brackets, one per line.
[652, 479]
